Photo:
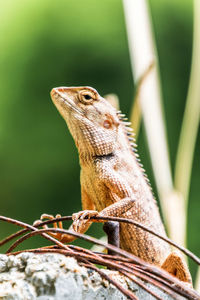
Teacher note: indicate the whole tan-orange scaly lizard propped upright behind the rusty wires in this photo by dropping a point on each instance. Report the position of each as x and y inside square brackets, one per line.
[113, 182]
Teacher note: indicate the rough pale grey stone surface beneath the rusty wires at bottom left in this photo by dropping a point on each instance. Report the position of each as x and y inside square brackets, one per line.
[28, 276]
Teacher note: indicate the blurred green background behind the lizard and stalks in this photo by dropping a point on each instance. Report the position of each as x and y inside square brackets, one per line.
[52, 43]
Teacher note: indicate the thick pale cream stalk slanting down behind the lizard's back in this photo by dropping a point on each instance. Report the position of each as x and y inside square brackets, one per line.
[143, 54]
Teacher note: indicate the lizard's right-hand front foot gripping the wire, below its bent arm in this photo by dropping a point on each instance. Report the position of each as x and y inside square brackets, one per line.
[82, 219]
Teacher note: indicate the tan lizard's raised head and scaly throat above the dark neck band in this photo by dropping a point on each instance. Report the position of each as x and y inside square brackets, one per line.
[92, 120]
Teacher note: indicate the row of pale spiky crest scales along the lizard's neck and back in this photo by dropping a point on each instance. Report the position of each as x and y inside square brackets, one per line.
[130, 134]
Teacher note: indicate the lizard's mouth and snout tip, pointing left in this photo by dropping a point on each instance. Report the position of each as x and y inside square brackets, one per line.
[59, 97]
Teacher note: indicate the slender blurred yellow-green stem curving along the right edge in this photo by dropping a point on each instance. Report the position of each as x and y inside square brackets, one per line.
[190, 124]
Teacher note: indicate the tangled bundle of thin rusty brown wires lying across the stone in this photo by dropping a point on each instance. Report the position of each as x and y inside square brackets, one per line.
[127, 264]
